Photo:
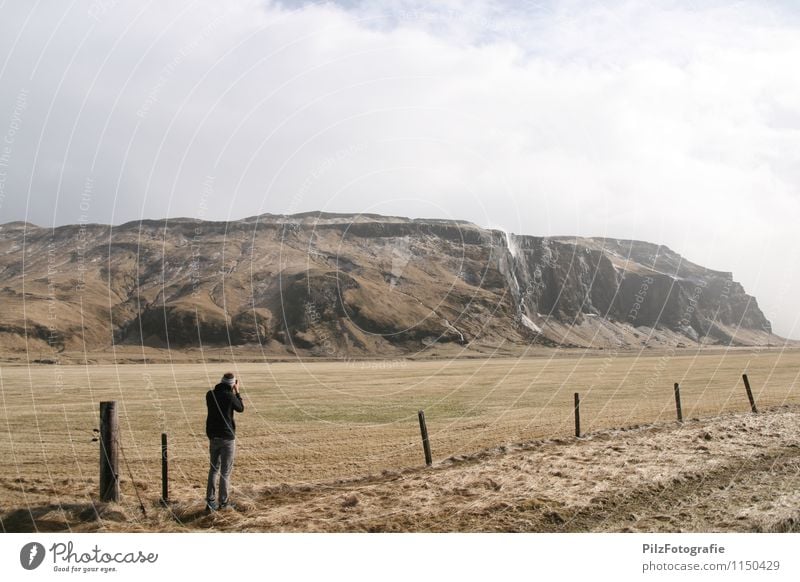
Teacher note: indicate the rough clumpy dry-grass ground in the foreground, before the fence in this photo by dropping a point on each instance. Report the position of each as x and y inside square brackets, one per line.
[737, 473]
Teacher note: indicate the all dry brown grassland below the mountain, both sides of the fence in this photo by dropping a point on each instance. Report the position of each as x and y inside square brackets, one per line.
[335, 446]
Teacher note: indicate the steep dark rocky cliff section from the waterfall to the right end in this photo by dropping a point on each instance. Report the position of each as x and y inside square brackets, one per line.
[631, 284]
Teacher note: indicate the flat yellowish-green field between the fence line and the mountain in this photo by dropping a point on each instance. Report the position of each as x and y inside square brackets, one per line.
[328, 421]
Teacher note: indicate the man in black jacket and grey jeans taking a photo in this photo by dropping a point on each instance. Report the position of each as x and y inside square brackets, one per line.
[222, 402]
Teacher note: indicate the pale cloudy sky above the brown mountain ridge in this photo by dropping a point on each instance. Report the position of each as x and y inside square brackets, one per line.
[675, 122]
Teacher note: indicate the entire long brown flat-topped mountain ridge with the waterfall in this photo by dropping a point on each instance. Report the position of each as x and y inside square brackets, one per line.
[333, 285]
